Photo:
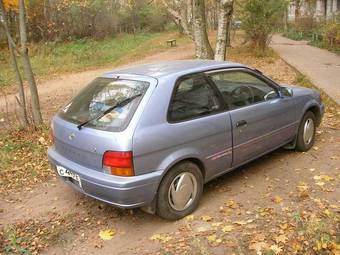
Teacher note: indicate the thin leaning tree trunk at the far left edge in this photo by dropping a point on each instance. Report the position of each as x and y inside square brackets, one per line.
[11, 47]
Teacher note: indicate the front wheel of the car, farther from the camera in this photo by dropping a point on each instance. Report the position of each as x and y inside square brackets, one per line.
[306, 134]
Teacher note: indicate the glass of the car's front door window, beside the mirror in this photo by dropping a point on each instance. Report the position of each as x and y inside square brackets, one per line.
[241, 88]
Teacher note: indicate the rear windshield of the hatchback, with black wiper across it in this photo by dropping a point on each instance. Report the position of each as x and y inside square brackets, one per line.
[101, 94]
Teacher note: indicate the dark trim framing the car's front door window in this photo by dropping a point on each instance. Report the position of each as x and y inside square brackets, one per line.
[257, 75]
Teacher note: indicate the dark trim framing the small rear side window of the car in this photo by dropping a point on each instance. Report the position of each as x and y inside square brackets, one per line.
[178, 81]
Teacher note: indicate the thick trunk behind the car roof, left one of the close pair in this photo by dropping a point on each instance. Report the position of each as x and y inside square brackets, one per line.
[202, 45]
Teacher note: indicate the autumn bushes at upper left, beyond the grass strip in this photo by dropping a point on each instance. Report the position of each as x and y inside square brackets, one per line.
[68, 19]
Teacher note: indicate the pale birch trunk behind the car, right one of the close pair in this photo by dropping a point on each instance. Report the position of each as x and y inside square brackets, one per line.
[223, 29]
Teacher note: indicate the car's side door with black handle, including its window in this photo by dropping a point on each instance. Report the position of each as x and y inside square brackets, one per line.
[261, 119]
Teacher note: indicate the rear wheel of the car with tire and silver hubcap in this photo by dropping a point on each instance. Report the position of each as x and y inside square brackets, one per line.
[180, 191]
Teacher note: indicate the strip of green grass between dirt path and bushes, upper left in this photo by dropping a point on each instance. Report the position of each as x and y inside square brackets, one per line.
[50, 59]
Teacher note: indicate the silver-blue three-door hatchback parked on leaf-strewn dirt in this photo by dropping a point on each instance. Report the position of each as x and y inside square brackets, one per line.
[151, 135]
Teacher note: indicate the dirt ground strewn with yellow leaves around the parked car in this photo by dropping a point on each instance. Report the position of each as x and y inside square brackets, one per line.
[284, 203]
